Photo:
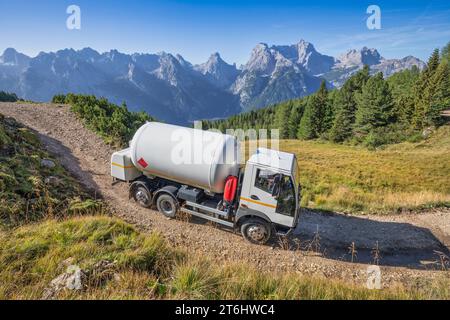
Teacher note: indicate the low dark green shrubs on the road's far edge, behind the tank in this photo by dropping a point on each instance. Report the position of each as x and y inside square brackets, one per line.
[115, 124]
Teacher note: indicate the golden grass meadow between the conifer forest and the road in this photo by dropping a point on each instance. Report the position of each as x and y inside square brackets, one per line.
[401, 177]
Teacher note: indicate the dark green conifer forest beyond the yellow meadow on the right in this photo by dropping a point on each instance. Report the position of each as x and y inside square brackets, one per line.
[367, 109]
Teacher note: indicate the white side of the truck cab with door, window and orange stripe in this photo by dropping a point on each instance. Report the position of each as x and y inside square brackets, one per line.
[262, 195]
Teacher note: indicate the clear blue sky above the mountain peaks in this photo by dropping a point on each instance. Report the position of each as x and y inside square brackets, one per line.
[195, 29]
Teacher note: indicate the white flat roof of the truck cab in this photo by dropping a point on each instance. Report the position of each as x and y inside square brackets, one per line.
[274, 159]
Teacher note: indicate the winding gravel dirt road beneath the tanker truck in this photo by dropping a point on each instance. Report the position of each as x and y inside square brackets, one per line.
[407, 242]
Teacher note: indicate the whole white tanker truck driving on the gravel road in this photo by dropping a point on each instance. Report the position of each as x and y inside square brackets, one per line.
[178, 169]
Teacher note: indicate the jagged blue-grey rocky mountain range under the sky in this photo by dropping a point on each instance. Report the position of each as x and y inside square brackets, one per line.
[174, 90]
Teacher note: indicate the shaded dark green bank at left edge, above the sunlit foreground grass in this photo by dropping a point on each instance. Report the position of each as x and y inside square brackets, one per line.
[26, 193]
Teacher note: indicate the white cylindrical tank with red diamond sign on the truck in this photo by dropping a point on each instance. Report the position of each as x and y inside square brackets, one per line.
[203, 159]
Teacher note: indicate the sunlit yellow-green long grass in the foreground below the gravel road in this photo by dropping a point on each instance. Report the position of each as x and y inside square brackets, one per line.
[146, 267]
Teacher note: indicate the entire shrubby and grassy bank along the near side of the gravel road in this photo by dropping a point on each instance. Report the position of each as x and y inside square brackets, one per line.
[65, 228]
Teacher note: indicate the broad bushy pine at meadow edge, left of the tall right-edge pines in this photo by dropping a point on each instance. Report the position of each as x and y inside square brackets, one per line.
[374, 106]
